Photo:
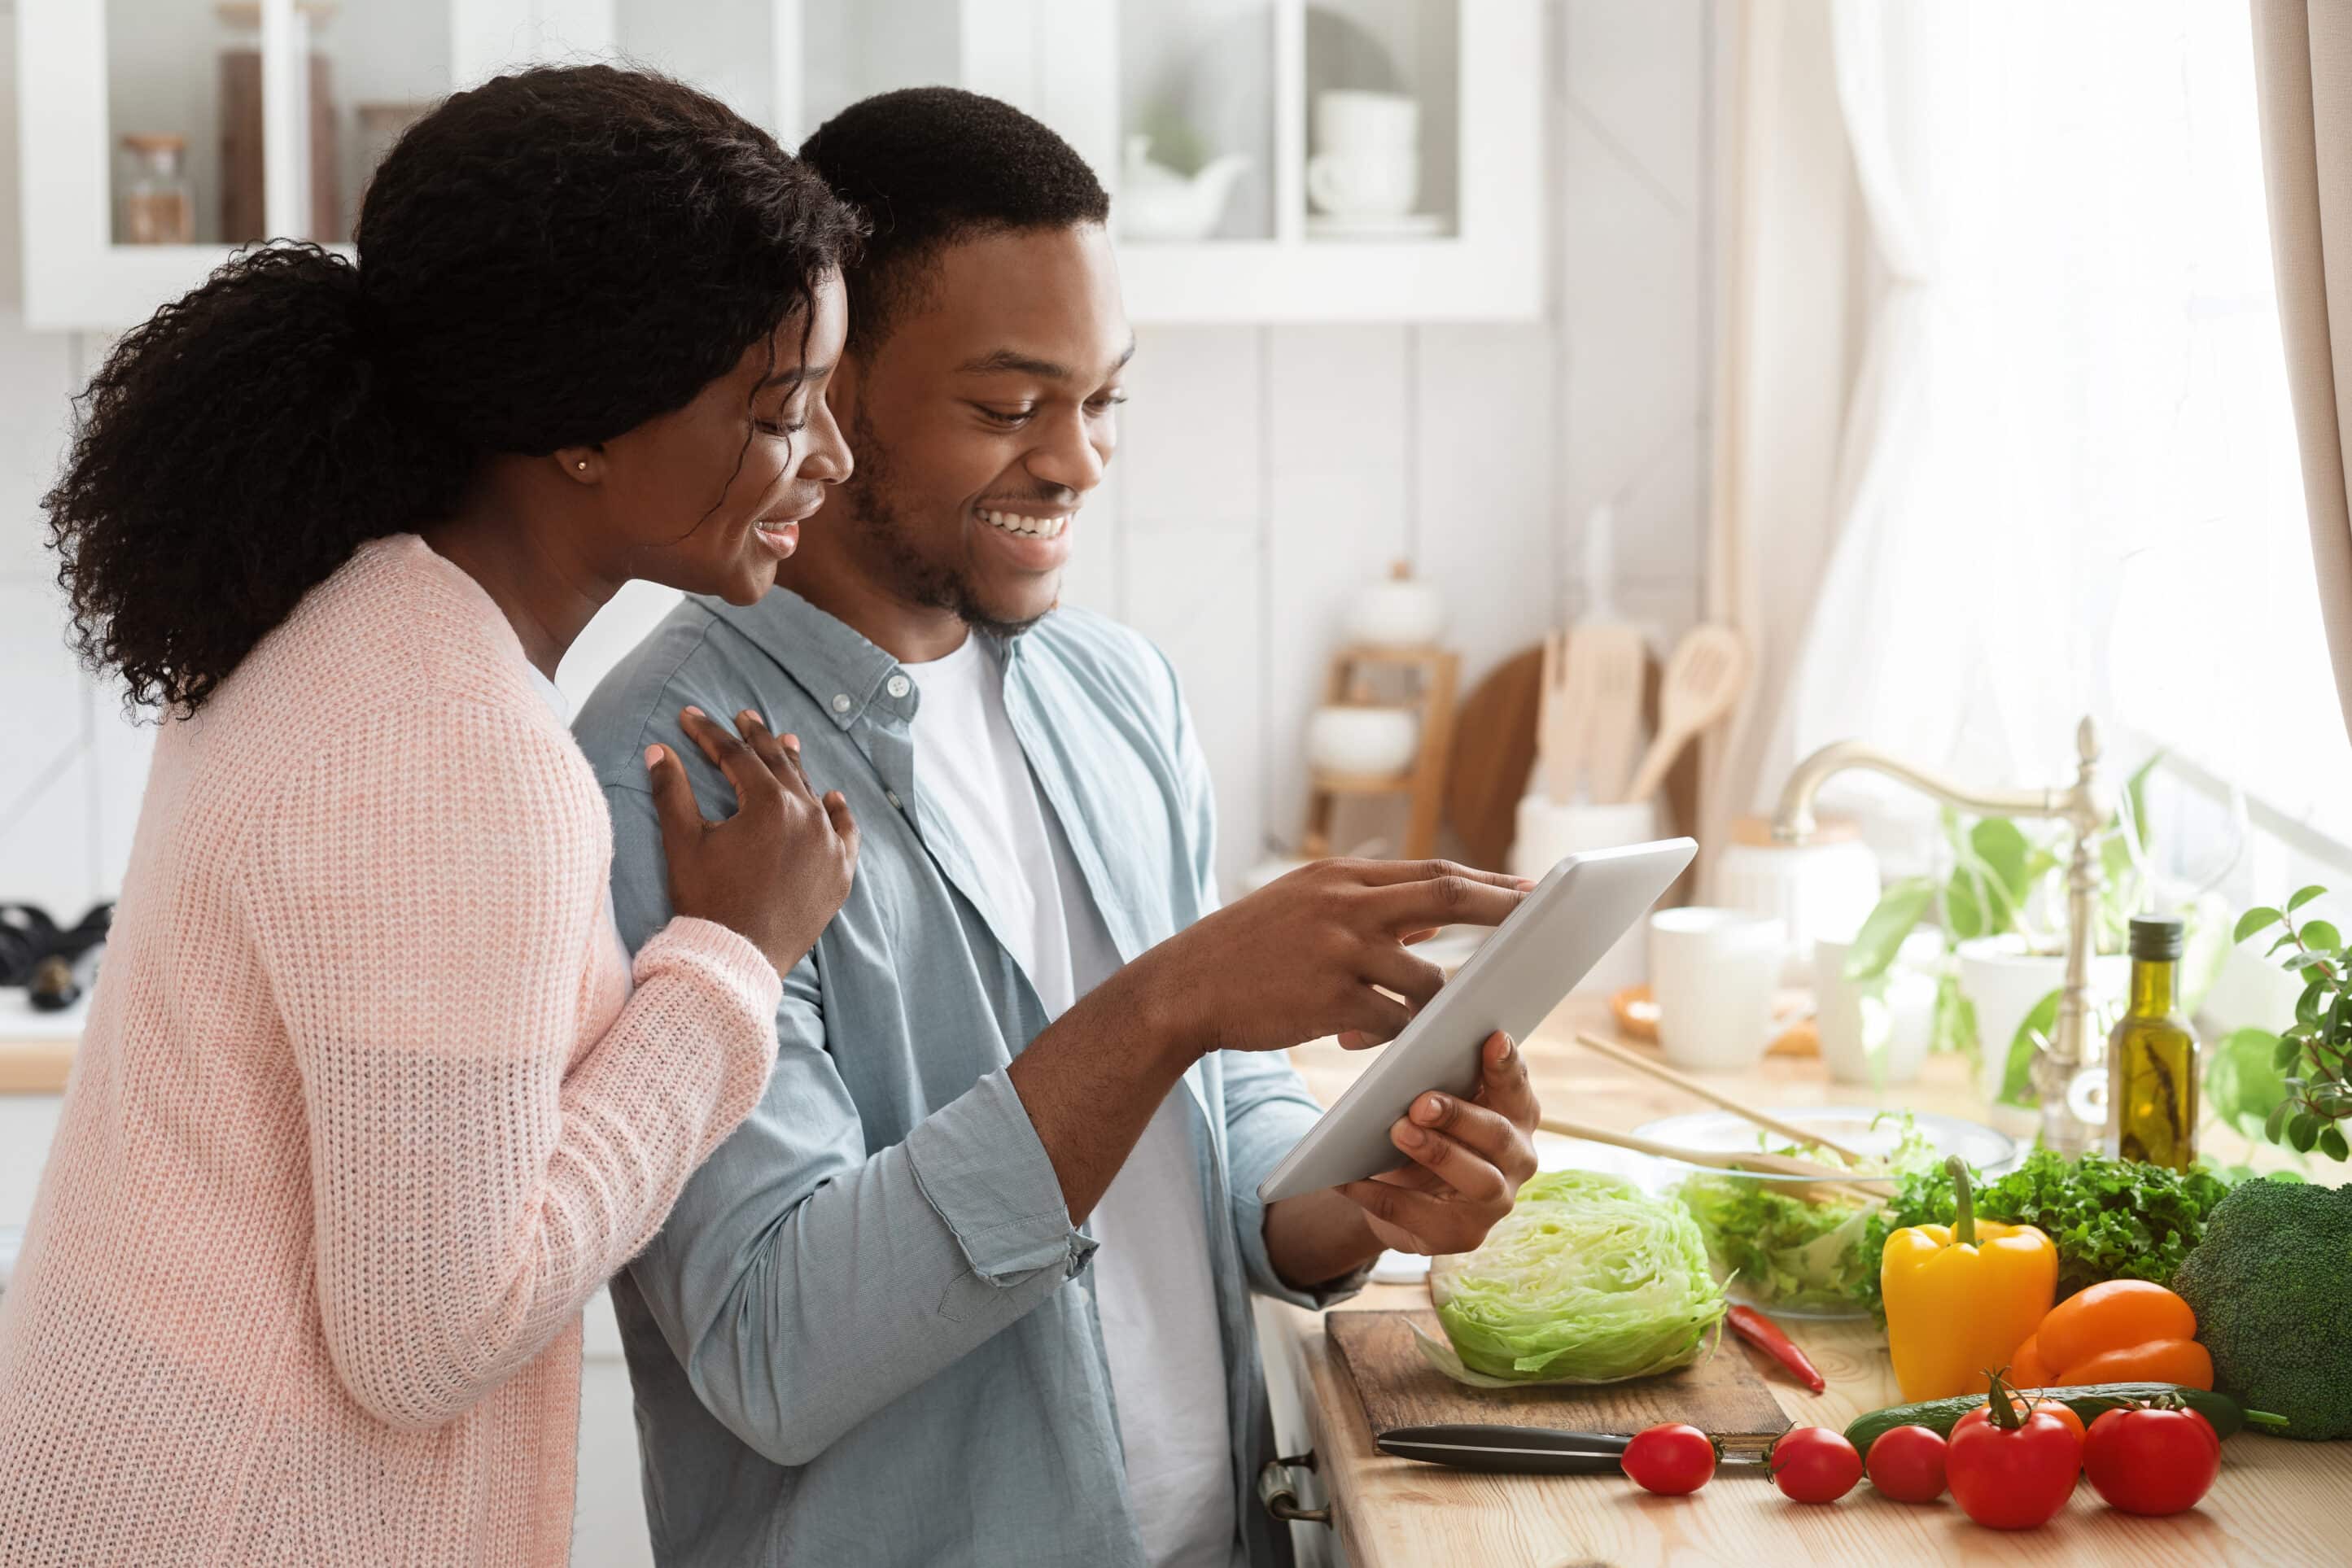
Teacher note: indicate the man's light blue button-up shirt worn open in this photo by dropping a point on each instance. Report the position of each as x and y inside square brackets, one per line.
[867, 1332]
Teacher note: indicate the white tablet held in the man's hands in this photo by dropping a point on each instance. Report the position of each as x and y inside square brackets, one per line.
[1511, 984]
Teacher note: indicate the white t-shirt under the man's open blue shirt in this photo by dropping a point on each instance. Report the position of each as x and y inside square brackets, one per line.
[1151, 1273]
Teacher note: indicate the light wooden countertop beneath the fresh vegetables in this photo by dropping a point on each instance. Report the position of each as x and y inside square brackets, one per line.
[2276, 1501]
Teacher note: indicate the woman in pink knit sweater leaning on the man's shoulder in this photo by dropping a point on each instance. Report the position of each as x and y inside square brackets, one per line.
[370, 1099]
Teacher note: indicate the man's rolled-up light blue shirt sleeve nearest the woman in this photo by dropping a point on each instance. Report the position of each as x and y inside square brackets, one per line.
[803, 1280]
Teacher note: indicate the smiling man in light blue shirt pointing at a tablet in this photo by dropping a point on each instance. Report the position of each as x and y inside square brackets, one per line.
[973, 1285]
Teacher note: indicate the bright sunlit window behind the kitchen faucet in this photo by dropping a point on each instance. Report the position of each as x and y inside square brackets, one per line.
[2099, 504]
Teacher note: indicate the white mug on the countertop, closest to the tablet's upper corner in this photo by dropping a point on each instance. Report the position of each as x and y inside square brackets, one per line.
[1713, 974]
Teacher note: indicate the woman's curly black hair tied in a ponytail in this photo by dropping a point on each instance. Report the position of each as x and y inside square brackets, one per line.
[544, 262]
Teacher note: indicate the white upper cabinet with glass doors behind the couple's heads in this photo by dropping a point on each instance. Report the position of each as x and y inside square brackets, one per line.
[1271, 161]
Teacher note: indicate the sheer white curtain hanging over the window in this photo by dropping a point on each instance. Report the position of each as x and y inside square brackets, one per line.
[2054, 462]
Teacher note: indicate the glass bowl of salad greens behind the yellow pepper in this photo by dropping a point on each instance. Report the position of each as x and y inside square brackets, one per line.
[1789, 1245]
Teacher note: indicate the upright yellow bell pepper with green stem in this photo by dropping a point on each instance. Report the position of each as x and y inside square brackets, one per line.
[1960, 1299]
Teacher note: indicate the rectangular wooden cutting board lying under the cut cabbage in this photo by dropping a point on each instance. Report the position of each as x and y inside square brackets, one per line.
[1723, 1395]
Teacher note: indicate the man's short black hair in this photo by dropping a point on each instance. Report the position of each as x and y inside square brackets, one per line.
[935, 166]
